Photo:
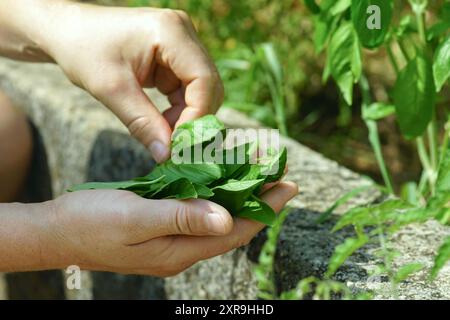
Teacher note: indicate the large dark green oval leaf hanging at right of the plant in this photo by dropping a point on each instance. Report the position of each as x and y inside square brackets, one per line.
[414, 97]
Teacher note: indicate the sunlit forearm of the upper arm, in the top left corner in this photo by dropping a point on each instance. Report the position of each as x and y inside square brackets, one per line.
[26, 27]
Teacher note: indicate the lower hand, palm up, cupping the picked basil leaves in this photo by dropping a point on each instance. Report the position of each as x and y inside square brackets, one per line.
[121, 232]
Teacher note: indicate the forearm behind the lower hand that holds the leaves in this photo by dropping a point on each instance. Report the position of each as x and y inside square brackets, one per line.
[26, 240]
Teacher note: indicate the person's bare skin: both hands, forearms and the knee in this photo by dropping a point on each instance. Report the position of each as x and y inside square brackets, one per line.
[113, 53]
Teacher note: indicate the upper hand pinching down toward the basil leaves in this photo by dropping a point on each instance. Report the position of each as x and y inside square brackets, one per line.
[114, 52]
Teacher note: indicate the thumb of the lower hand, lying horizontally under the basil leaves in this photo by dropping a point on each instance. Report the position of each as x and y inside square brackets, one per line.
[150, 219]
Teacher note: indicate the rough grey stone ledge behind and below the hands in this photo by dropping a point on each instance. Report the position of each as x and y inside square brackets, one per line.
[84, 141]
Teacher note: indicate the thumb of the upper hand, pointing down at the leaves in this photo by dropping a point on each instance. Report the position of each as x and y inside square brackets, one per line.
[132, 106]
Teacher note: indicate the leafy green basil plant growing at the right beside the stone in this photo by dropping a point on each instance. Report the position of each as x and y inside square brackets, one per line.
[422, 71]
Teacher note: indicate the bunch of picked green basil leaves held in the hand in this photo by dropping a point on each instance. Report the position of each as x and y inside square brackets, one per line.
[228, 176]
